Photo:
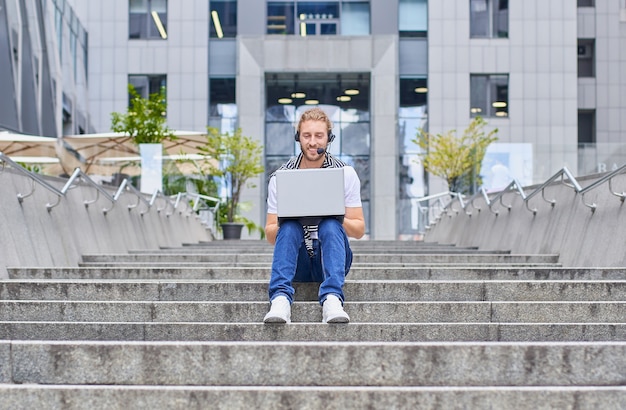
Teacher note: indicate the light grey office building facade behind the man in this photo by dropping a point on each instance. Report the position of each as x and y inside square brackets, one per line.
[550, 76]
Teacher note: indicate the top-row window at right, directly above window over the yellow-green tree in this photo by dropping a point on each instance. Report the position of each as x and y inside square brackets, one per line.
[489, 18]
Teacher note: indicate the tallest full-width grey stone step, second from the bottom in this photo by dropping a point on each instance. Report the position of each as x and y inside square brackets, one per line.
[322, 363]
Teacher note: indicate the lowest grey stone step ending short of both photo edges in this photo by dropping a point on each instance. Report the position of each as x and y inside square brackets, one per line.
[266, 258]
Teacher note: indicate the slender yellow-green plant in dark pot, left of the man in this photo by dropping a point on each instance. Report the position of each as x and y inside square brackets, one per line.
[236, 159]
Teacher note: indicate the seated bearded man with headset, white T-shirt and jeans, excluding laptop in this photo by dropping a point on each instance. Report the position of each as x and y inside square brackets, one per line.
[313, 253]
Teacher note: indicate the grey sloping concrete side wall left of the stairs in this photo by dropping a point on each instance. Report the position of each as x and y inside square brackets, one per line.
[59, 238]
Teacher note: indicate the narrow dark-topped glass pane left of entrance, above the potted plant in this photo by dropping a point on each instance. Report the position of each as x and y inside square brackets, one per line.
[222, 104]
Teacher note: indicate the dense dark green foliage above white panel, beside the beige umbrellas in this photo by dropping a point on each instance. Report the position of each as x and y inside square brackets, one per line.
[145, 119]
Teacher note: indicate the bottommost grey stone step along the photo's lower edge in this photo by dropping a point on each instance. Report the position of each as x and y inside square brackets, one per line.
[27, 397]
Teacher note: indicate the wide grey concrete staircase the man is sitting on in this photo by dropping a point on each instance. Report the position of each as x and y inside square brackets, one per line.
[433, 326]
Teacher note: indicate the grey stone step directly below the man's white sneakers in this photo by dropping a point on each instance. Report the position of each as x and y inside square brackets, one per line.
[311, 332]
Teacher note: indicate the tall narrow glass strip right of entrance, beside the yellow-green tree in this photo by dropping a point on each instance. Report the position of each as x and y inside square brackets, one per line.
[412, 116]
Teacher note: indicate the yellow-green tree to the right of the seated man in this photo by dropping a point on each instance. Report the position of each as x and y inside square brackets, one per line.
[456, 160]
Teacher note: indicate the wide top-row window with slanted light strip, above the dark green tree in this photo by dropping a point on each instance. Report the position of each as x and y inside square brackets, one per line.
[147, 19]
